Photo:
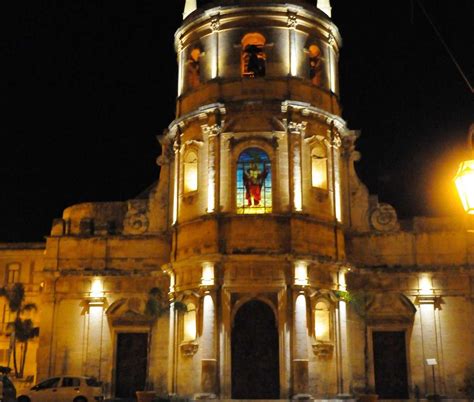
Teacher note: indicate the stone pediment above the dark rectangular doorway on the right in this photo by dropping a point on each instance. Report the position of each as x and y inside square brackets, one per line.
[390, 307]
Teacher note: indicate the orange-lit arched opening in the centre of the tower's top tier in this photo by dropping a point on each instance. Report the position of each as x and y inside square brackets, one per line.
[253, 55]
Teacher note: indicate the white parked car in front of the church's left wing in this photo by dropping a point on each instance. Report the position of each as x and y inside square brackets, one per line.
[64, 389]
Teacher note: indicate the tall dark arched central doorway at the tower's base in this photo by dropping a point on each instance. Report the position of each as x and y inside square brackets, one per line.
[255, 362]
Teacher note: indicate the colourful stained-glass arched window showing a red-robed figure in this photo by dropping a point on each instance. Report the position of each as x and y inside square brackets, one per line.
[254, 182]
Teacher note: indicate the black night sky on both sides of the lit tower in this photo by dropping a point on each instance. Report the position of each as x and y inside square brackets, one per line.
[89, 84]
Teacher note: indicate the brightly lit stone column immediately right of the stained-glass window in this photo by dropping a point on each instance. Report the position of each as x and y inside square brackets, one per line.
[295, 133]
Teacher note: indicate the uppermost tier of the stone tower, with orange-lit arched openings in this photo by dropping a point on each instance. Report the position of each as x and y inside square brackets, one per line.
[245, 50]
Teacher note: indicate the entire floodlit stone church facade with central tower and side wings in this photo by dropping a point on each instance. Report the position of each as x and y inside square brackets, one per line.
[297, 282]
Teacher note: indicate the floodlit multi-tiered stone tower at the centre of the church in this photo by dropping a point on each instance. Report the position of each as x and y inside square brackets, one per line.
[256, 176]
